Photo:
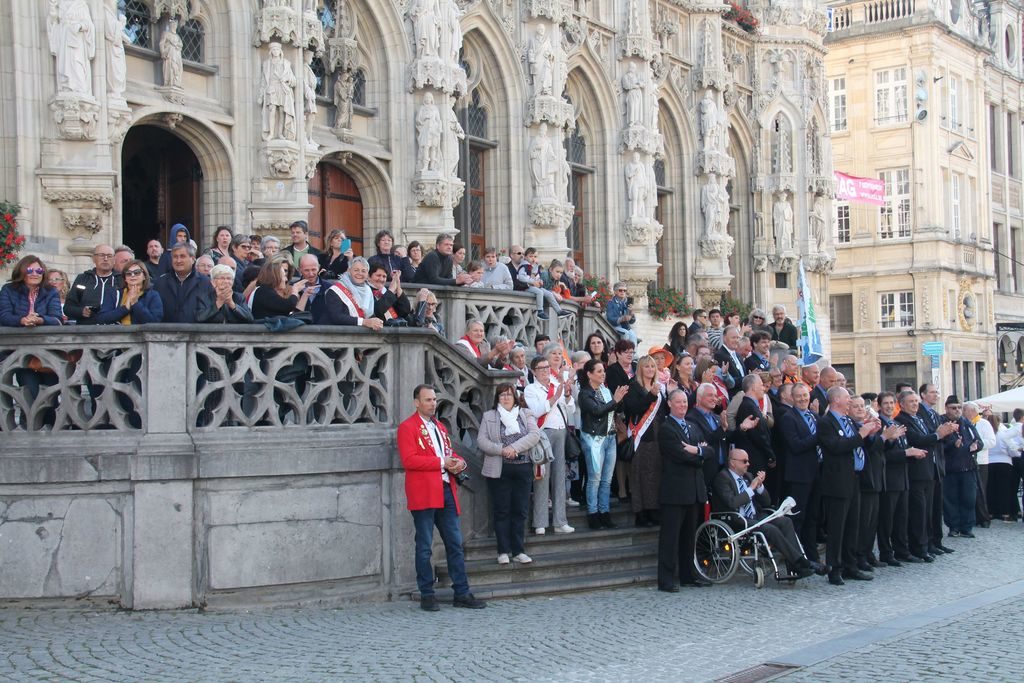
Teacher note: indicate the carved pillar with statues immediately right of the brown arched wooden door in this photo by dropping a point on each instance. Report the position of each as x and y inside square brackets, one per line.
[438, 80]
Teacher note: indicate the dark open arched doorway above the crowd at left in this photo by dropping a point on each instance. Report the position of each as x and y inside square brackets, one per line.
[161, 186]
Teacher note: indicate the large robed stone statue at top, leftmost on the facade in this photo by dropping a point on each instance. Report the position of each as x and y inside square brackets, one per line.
[73, 41]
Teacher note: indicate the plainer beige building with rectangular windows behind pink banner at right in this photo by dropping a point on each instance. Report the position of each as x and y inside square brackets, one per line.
[926, 97]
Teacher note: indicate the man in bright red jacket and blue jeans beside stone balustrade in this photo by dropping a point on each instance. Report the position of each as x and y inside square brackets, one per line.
[432, 467]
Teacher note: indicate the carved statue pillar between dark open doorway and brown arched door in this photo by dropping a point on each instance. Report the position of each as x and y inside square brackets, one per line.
[287, 38]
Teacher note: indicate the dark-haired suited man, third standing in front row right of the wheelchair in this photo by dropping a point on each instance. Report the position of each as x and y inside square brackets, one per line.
[893, 547]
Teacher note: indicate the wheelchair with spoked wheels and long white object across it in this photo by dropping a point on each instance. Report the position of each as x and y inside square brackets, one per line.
[729, 542]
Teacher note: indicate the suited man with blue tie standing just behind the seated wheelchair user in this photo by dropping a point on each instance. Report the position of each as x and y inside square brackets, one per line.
[798, 430]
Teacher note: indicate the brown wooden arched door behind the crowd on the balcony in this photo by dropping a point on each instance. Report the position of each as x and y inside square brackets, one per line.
[337, 203]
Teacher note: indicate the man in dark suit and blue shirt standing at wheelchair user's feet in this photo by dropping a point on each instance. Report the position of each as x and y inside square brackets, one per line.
[843, 457]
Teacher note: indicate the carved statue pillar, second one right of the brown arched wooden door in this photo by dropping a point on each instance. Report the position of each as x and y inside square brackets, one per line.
[549, 119]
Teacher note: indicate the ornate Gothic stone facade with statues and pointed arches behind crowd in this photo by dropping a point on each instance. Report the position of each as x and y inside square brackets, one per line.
[651, 140]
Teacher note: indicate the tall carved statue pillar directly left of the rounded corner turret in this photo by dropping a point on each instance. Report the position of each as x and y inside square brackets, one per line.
[714, 164]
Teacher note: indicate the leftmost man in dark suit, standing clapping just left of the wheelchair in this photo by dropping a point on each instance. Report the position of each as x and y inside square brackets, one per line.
[682, 496]
